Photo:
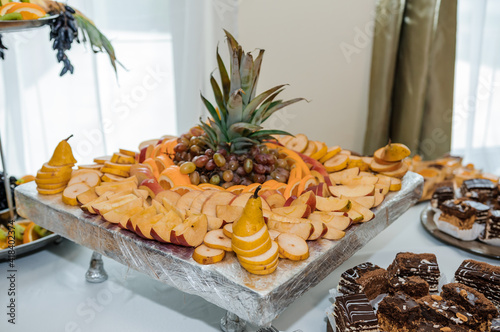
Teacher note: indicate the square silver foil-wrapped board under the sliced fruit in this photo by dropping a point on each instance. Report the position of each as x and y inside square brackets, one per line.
[256, 299]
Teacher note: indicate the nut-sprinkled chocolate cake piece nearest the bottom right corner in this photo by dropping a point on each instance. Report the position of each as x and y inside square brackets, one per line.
[471, 300]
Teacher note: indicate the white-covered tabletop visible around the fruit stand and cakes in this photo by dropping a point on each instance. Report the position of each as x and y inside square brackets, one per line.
[54, 296]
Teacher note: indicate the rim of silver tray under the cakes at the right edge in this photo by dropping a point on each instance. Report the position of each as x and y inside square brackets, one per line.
[475, 247]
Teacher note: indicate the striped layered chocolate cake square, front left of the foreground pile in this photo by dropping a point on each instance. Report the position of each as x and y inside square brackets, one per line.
[354, 313]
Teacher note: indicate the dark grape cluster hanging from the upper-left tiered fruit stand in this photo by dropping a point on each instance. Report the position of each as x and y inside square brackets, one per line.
[64, 30]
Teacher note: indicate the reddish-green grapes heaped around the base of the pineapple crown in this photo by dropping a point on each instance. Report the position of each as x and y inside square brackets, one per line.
[204, 165]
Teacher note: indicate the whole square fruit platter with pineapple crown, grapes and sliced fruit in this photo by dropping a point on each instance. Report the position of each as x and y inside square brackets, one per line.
[247, 218]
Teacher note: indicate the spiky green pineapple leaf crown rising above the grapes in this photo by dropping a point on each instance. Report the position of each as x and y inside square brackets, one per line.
[236, 122]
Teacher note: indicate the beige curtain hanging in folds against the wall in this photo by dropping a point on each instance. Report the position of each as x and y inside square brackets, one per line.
[411, 84]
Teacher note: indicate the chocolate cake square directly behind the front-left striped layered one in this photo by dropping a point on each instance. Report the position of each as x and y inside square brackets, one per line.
[364, 278]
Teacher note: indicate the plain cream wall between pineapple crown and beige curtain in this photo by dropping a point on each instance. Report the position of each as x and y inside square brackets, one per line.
[303, 42]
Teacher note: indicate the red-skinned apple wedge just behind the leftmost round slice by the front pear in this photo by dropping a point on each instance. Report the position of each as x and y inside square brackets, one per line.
[191, 232]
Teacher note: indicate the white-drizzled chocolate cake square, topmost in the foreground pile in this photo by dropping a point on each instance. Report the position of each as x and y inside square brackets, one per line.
[407, 264]
